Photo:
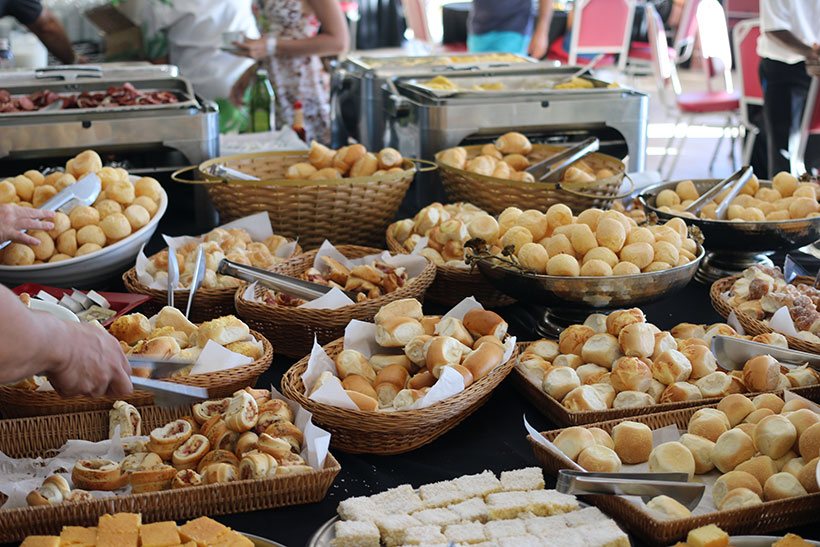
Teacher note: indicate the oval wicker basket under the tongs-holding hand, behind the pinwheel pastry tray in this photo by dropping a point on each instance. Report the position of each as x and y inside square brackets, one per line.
[18, 403]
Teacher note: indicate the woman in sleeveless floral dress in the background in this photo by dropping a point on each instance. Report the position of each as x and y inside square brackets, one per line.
[290, 49]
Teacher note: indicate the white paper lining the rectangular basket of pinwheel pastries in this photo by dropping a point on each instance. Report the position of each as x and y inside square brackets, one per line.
[19, 476]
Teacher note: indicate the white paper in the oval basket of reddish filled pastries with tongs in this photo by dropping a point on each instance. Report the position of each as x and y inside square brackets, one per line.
[335, 298]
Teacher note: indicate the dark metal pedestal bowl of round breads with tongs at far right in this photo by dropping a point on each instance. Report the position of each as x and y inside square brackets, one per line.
[734, 246]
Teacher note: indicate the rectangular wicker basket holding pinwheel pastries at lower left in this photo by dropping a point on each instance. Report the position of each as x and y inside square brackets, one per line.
[33, 437]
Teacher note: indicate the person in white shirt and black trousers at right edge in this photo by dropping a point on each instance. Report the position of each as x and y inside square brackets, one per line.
[789, 38]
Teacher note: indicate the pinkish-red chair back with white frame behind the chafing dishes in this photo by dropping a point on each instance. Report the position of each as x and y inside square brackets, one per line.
[601, 26]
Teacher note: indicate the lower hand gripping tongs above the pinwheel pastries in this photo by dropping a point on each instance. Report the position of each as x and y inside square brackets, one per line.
[90, 362]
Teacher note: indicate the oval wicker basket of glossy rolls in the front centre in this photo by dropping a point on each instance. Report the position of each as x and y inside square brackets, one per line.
[387, 433]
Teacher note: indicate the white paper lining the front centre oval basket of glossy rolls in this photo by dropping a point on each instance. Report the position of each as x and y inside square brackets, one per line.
[361, 336]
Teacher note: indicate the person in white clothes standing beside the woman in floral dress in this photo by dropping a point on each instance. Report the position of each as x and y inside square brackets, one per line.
[193, 30]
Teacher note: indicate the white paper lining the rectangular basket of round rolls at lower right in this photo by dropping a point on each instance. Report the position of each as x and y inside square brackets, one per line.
[666, 434]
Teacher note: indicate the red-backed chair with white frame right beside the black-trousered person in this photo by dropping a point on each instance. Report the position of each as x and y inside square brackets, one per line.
[745, 35]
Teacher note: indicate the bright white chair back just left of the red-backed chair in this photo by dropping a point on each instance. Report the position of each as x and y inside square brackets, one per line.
[714, 43]
